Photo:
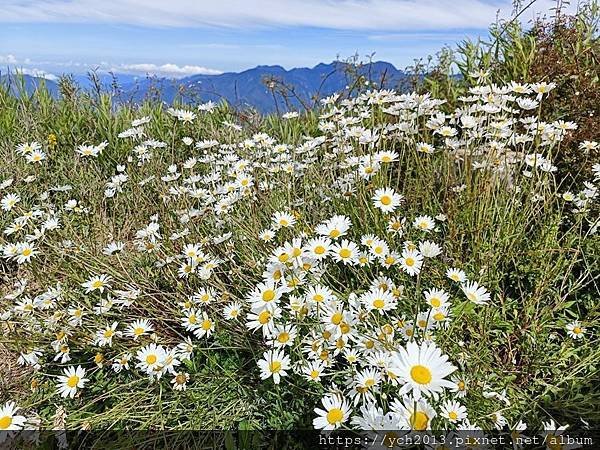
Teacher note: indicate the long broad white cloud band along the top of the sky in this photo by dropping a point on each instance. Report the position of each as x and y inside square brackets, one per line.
[337, 14]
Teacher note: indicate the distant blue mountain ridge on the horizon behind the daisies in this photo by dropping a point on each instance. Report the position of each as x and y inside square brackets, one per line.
[242, 89]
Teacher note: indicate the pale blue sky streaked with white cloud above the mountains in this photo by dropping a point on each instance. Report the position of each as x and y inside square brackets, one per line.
[181, 37]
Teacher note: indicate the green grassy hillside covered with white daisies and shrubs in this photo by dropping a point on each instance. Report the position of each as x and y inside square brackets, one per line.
[424, 260]
